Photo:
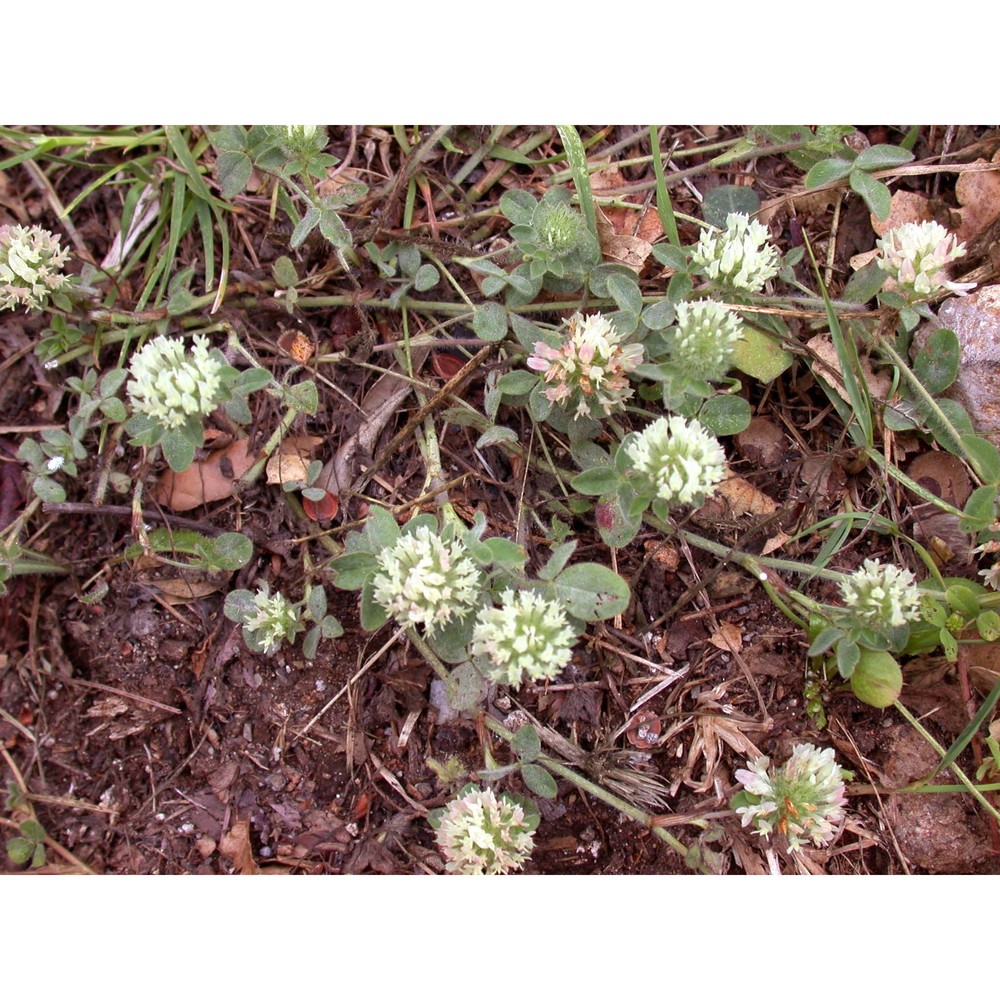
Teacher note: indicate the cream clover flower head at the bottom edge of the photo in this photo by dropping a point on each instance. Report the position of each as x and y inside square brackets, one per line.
[480, 834]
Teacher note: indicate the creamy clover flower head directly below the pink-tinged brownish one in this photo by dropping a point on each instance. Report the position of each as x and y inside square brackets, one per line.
[681, 461]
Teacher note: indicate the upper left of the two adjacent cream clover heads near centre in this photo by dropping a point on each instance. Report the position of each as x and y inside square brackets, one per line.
[425, 581]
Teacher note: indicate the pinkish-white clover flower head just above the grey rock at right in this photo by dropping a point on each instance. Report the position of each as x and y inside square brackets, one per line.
[915, 256]
